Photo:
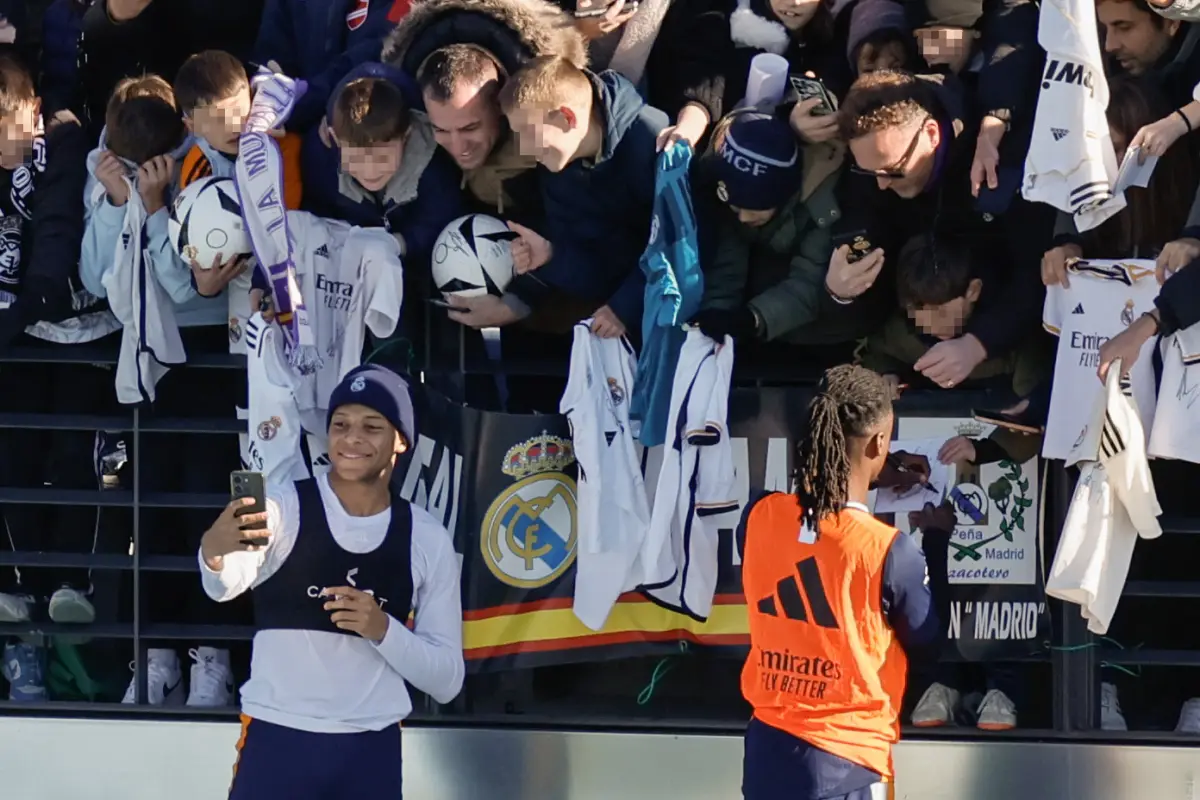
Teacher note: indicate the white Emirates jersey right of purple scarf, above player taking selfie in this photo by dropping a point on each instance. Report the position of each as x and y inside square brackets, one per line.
[351, 280]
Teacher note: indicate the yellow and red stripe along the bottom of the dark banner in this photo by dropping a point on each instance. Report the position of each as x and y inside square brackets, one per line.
[549, 625]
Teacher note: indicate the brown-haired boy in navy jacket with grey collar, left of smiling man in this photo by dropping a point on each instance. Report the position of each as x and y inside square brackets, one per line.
[386, 169]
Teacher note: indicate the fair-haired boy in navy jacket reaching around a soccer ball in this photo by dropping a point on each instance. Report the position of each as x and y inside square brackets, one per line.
[596, 142]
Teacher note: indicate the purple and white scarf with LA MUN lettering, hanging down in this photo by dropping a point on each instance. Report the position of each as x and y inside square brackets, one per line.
[260, 178]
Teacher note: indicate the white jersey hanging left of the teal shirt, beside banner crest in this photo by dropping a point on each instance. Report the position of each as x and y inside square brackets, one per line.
[614, 512]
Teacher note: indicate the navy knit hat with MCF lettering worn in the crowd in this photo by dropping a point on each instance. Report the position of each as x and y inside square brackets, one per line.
[755, 163]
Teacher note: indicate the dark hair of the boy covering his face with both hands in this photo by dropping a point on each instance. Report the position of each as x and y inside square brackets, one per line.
[142, 119]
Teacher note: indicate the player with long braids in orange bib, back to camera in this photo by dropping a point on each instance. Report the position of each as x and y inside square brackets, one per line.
[836, 601]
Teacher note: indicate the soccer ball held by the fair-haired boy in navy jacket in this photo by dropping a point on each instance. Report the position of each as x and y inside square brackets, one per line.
[473, 257]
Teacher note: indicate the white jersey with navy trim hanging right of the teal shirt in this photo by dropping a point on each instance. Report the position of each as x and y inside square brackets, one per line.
[697, 483]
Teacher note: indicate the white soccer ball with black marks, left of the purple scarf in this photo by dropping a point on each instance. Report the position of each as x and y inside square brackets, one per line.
[206, 222]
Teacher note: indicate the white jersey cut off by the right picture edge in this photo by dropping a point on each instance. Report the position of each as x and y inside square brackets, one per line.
[1177, 432]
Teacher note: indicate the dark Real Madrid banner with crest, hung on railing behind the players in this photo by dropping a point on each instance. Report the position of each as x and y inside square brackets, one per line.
[506, 488]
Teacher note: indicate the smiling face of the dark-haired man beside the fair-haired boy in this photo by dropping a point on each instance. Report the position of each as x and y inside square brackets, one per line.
[470, 124]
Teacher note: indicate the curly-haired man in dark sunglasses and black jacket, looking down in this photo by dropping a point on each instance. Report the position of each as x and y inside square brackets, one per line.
[914, 147]
